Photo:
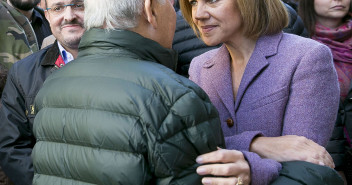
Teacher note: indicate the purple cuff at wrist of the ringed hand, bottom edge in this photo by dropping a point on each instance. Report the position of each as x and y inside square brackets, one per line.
[263, 171]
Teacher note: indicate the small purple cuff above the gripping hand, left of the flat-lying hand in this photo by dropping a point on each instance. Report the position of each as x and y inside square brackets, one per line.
[241, 141]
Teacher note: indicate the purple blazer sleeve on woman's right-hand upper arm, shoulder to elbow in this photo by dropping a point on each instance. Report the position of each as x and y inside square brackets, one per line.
[314, 97]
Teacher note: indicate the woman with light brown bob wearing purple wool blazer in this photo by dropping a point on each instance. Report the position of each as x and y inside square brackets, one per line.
[277, 94]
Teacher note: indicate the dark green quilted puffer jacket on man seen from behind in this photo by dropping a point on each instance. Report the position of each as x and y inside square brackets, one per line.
[119, 115]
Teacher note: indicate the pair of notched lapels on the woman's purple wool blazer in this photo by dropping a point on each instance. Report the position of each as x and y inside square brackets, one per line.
[219, 69]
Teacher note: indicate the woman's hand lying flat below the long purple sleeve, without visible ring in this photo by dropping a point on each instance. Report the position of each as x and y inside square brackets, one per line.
[291, 148]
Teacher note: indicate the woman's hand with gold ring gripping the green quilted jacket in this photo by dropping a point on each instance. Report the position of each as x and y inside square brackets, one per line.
[229, 165]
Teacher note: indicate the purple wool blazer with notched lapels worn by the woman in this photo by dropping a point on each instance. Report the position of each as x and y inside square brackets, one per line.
[289, 87]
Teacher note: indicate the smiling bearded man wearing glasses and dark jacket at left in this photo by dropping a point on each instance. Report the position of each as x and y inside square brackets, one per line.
[24, 81]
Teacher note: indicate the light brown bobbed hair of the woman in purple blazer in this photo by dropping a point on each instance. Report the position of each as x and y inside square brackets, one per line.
[261, 17]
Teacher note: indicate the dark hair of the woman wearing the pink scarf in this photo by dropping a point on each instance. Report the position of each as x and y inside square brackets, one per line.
[307, 12]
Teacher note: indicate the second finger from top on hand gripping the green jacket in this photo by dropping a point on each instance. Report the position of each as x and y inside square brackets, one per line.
[225, 170]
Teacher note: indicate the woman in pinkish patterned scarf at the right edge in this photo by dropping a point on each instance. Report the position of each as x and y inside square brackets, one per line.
[329, 22]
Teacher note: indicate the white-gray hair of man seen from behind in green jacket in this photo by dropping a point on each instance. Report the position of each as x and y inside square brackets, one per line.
[112, 14]
